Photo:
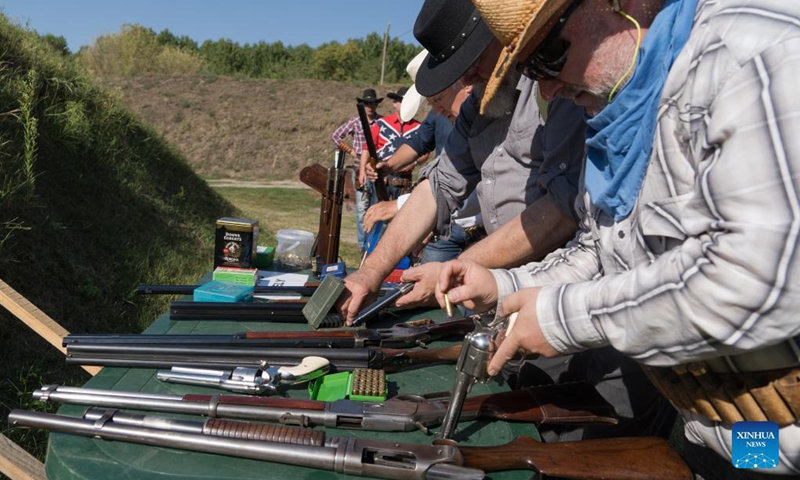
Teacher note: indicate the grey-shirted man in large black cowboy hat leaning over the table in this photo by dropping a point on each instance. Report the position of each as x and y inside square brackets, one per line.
[527, 176]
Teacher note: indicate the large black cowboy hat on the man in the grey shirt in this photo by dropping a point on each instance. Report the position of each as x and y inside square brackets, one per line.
[455, 34]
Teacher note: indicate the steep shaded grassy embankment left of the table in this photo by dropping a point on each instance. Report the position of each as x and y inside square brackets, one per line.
[93, 202]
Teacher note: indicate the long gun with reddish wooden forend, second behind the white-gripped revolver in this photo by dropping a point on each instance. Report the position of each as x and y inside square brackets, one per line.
[402, 335]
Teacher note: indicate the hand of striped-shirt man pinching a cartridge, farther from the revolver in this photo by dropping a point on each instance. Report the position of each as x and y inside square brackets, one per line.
[467, 283]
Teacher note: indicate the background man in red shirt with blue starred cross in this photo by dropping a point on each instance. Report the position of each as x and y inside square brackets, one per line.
[389, 133]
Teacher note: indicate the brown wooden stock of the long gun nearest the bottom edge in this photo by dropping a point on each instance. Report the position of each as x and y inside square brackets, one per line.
[644, 458]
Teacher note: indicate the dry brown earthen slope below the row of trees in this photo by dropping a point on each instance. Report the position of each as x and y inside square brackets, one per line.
[258, 130]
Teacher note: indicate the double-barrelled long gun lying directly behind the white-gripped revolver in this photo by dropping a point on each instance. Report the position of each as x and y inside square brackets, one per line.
[341, 359]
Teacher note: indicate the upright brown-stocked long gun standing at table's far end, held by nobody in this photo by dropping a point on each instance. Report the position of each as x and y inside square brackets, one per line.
[329, 182]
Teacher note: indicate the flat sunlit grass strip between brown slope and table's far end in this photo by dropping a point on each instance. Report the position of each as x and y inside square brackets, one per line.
[280, 208]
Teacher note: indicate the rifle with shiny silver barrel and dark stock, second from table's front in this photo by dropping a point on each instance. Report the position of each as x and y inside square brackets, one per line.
[561, 404]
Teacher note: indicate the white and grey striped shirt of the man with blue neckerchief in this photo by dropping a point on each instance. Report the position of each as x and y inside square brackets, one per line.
[707, 265]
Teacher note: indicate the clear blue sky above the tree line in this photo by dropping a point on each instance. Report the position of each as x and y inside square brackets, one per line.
[245, 21]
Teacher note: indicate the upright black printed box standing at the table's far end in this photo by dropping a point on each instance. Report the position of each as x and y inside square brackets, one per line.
[236, 243]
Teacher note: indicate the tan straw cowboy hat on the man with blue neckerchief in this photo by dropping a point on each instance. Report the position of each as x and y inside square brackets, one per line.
[516, 23]
